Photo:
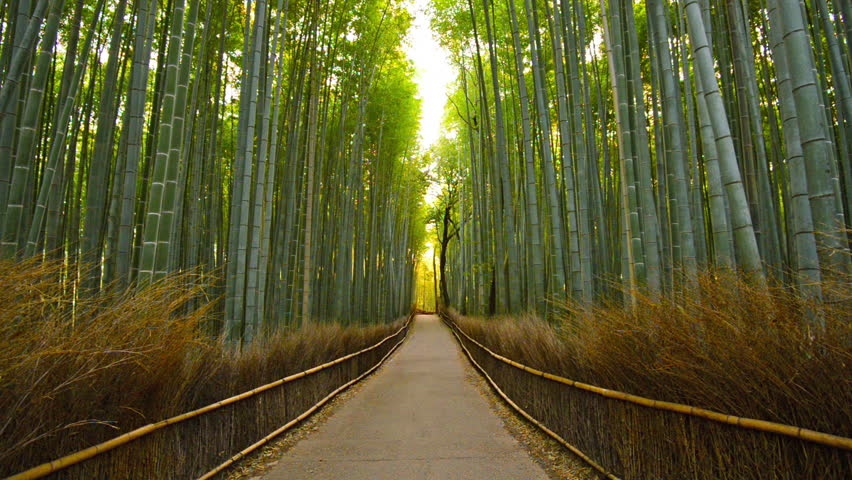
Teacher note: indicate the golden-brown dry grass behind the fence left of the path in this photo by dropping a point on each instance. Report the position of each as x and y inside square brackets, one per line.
[75, 373]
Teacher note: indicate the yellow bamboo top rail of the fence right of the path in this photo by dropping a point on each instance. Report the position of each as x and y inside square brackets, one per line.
[805, 434]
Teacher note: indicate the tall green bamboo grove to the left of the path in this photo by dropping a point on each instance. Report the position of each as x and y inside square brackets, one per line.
[216, 148]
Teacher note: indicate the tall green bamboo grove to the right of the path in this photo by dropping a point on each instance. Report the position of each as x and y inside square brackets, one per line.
[645, 179]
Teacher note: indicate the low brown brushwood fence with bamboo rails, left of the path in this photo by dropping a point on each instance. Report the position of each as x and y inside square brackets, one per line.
[201, 443]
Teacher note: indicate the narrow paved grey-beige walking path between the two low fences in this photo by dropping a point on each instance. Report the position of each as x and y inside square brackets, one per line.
[418, 419]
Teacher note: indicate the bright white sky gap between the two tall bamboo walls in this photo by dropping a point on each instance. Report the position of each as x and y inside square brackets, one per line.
[434, 72]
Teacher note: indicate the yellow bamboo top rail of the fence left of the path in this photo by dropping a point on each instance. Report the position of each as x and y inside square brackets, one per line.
[93, 451]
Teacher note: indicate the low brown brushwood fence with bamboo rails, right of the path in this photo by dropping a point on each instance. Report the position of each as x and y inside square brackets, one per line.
[630, 437]
